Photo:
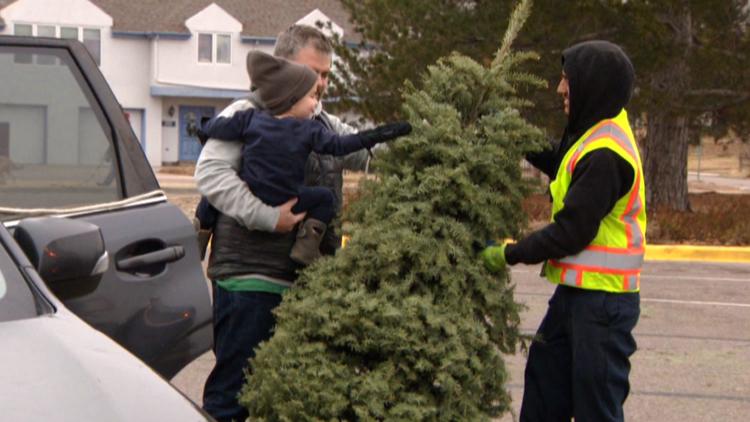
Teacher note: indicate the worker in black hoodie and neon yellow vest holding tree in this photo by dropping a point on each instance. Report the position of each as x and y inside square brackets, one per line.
[578, 365]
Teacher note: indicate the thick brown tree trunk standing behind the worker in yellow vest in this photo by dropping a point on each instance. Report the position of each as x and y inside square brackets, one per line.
[665, 152]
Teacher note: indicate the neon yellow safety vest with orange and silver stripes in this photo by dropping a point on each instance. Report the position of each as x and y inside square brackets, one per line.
[613, 260]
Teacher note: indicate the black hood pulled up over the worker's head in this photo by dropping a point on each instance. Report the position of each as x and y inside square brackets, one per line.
[601, 77]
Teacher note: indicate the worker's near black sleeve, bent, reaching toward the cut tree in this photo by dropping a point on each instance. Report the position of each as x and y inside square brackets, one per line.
[600, 179]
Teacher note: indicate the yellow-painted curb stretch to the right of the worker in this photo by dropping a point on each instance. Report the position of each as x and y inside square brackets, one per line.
[737, 254]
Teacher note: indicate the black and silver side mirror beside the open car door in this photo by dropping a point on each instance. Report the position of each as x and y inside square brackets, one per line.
[62, 249]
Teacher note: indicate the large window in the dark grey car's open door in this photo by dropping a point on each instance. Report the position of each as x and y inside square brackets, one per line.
[55, 143]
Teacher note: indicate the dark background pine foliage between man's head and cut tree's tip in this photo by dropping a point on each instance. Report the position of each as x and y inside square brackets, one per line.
[409, 35]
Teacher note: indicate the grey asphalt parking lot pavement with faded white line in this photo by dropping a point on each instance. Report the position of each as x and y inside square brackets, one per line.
[693, 358]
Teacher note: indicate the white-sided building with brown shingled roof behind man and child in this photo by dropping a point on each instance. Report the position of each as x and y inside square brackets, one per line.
[170, 63]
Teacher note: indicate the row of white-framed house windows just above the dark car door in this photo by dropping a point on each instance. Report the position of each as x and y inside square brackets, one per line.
[90, 37]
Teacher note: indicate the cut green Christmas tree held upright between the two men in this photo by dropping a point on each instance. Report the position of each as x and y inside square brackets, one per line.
[405, 323]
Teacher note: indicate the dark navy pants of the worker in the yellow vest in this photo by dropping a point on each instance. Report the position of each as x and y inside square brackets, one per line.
[579, 363]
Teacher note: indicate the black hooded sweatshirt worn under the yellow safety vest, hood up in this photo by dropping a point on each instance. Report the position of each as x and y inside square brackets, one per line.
[600, 78]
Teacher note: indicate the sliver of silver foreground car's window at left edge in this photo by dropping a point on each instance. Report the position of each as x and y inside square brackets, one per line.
[16, 299]
